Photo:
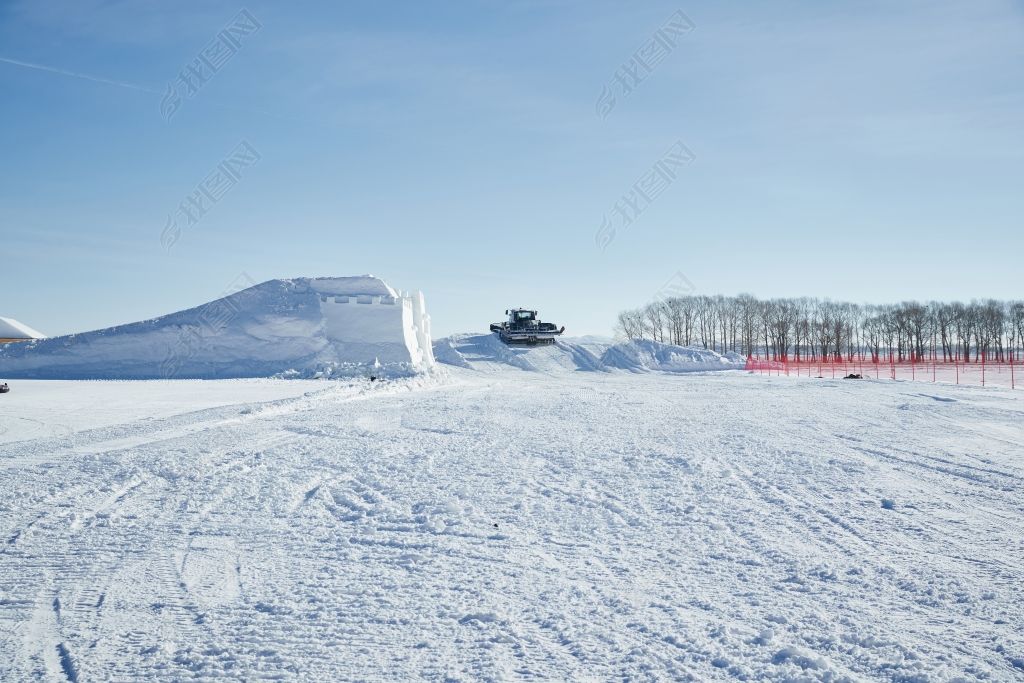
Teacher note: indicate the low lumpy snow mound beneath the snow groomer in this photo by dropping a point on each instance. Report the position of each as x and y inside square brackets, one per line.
[486, 353]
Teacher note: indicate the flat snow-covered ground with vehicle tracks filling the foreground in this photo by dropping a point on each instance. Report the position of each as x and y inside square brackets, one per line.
[509, 525]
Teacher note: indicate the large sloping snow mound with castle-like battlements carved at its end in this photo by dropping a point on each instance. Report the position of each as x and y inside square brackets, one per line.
[307, 327]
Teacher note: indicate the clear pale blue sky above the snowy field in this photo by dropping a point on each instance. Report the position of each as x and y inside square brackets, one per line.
[863, 151]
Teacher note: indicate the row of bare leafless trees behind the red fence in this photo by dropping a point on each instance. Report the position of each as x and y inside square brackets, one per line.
[807, 328]
